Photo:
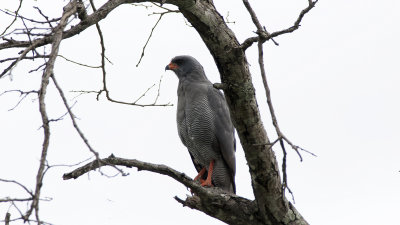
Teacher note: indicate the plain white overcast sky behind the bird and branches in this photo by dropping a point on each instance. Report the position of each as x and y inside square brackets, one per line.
[335, 87]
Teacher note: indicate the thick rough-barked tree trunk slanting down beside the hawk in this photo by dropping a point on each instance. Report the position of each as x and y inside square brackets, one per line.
[239, 91]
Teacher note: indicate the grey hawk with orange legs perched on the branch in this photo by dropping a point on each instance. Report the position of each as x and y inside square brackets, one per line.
[204, 125]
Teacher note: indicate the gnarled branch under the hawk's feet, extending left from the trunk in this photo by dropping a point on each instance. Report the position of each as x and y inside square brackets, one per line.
[215, 202]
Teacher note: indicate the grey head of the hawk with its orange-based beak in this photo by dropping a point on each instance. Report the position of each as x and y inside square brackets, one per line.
[186, 67]
